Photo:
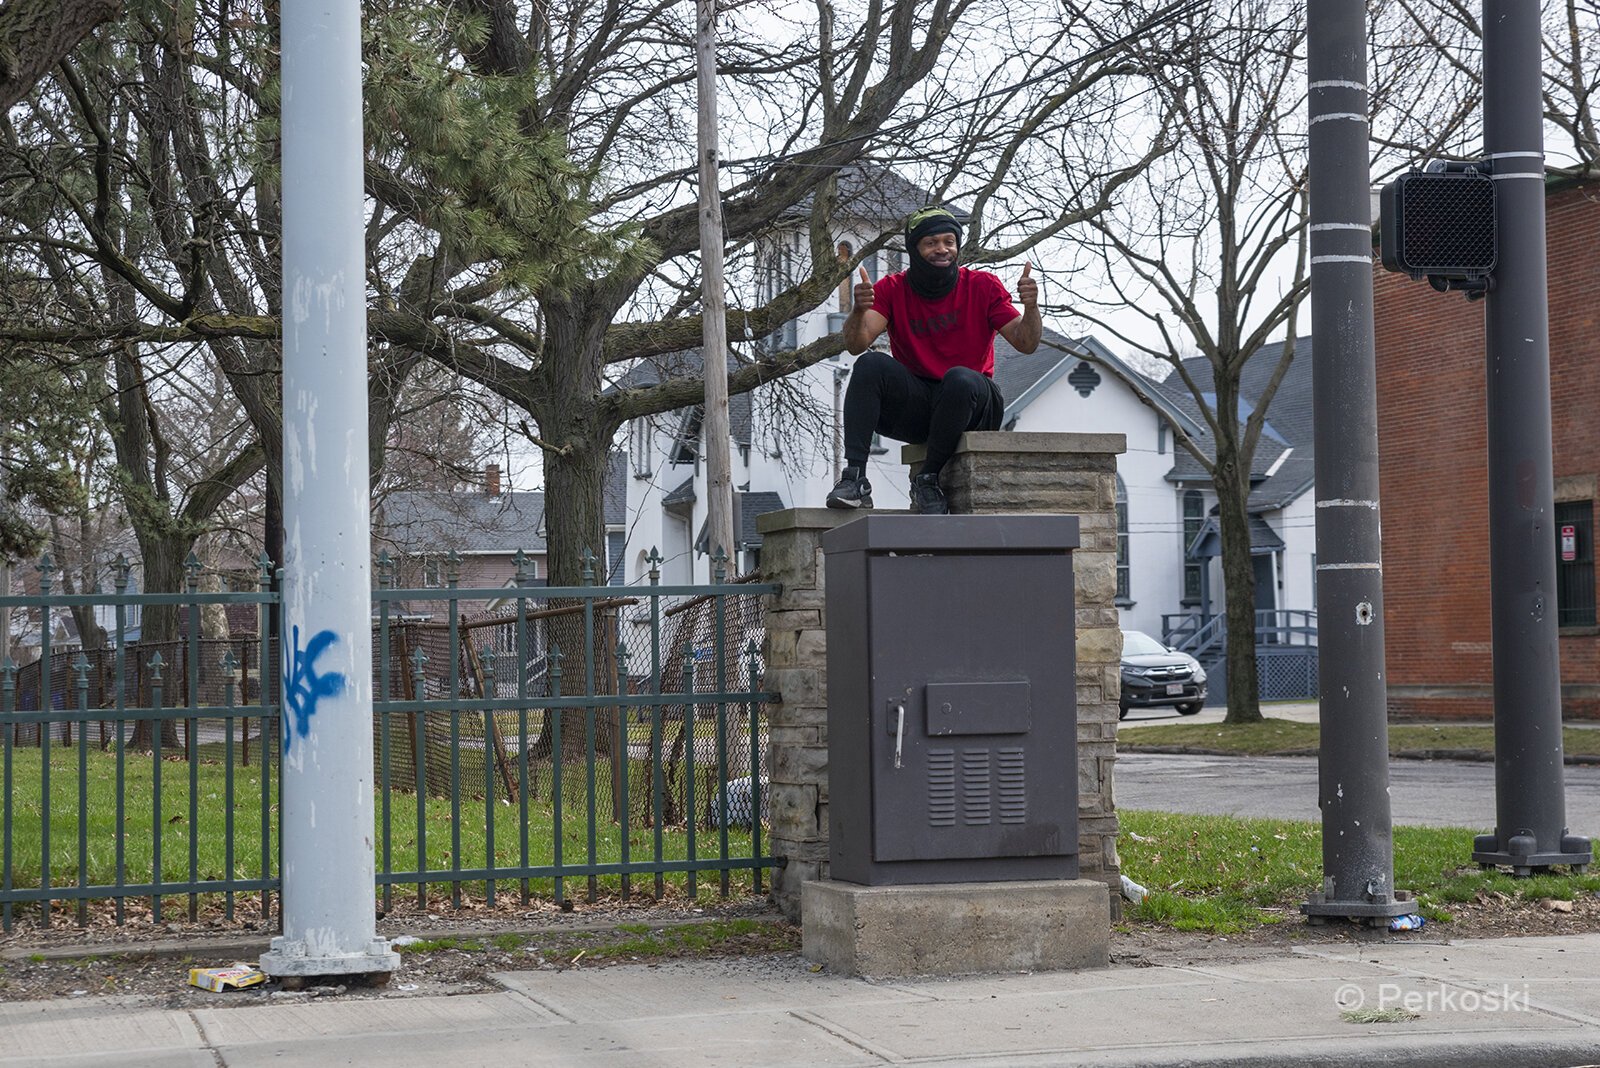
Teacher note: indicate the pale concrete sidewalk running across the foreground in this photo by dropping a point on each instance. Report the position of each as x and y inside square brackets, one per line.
[1503, 1003]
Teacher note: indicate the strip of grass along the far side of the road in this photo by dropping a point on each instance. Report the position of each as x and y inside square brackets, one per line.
[1289, 736]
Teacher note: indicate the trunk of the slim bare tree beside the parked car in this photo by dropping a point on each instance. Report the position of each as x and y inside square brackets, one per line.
[1239, 584]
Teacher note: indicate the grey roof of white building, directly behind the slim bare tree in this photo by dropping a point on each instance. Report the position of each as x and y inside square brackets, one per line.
[1284, 466]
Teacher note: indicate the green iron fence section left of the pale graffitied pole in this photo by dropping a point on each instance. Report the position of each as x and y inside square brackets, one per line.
[124, 770]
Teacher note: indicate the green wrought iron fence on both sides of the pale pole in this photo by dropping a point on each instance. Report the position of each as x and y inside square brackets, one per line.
[524, 738]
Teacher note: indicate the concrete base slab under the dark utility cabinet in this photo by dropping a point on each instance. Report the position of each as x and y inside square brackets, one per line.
[956, 928]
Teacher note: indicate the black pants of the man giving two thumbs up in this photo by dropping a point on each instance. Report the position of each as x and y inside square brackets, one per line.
[887, 399]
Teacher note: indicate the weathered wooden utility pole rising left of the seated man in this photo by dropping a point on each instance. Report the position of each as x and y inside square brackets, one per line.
[714, 308]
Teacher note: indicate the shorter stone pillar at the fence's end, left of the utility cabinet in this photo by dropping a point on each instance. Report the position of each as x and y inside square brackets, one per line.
[796, 661]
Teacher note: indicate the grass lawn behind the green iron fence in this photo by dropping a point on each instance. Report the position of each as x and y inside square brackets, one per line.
[438, 824]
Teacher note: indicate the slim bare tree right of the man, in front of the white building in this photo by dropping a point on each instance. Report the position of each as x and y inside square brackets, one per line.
[1199, 247]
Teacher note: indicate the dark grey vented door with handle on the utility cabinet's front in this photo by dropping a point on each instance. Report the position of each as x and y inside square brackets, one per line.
[974, 722]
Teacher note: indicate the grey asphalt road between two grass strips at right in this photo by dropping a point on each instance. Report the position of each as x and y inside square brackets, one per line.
[1431, 794]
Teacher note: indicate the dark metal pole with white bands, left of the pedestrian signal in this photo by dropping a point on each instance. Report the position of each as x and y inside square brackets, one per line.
[1358, 851]
